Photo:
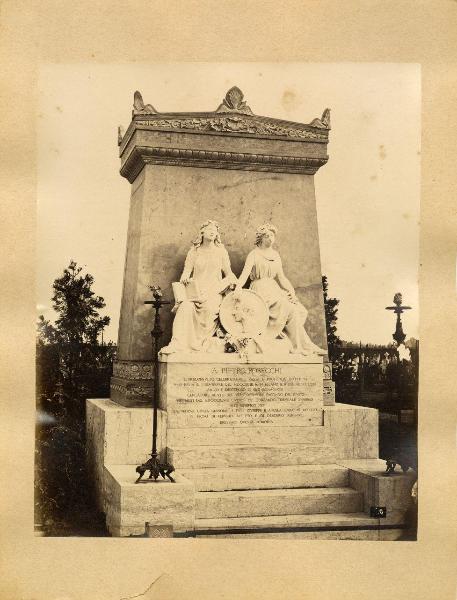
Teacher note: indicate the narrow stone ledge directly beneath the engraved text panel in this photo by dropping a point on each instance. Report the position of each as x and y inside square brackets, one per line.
[206, 436]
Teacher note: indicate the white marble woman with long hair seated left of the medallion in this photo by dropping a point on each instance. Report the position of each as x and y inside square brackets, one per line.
[206, 263]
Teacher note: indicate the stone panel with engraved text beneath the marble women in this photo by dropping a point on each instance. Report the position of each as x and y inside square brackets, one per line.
[224, 395]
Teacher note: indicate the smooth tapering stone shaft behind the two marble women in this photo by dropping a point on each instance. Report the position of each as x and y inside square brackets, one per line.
[161, 227]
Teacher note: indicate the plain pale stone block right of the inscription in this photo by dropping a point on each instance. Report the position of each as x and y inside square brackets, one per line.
[352, 430]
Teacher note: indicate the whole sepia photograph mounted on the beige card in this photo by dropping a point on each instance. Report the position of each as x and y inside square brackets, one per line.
[227, 323]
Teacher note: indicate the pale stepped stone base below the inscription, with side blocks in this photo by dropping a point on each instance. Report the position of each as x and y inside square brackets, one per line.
[287, 500]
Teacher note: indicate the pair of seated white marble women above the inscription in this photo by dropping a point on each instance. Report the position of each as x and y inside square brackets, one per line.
[208, 272]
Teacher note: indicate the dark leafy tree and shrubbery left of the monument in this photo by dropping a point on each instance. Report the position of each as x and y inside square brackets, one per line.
[71, 366]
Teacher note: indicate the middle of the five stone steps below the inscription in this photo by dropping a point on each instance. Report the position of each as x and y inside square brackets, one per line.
[248, 478]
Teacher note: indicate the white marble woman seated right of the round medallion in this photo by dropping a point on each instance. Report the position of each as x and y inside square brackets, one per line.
[287, 315]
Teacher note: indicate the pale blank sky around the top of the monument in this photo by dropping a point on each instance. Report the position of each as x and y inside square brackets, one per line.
[367, 194]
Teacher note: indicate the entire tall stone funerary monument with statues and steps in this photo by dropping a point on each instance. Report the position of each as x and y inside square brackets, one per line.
[247, 414]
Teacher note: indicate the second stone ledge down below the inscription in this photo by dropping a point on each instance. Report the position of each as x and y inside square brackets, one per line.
[244, 455]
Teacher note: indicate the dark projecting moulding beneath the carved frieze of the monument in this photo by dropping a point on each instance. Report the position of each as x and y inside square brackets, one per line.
[143, 155]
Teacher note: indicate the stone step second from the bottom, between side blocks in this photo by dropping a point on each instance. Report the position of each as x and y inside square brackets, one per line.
[252, 503]
